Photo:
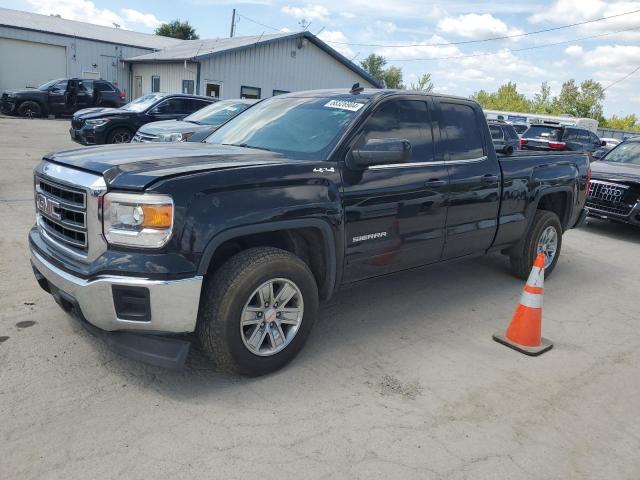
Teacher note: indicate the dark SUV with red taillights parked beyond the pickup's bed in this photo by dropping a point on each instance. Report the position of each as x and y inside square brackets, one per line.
[560, 137]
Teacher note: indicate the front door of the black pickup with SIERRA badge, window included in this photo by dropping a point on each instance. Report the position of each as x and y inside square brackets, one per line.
[395, 213]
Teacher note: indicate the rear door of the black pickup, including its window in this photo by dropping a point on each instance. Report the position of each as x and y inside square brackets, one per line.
[474, 177]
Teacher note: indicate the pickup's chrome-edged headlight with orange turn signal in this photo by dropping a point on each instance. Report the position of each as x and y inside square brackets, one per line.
[139, 220]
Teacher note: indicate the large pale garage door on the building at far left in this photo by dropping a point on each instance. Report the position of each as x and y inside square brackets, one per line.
[29, 64]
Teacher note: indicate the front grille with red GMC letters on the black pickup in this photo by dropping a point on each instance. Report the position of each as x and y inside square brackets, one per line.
[62, 214]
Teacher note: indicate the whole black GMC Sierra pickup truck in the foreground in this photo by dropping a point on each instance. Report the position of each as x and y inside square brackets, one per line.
[238, 239]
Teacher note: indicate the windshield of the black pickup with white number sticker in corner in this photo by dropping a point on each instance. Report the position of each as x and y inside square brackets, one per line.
[303, 128]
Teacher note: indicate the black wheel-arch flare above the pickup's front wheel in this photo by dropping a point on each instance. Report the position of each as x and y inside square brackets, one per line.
[323, 226]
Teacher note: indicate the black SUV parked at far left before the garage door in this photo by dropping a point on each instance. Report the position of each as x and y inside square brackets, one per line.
[63, 96]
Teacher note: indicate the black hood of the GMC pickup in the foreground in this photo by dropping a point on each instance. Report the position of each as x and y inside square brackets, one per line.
[135, 166]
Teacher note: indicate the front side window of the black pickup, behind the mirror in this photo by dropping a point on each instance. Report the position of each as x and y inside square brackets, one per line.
[402, 119]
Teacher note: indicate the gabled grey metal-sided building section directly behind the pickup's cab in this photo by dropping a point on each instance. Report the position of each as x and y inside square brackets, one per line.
[246, 67]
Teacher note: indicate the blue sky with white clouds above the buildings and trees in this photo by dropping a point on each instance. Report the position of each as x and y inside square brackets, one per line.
[417, 36]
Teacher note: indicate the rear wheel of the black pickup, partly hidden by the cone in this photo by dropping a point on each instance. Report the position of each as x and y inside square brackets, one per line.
[544, 236]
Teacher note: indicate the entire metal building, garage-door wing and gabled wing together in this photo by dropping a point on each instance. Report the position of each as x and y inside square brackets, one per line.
[37, 48]
